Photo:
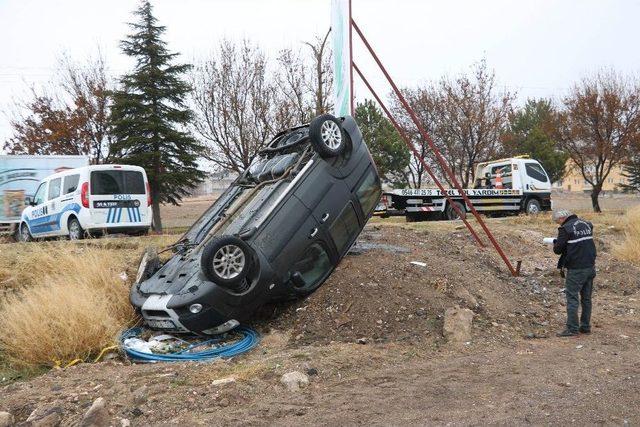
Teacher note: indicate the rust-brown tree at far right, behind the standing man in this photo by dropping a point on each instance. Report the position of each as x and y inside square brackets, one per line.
[600, 122]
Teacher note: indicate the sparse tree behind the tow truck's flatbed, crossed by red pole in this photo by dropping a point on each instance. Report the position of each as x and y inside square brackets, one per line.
[465, 118]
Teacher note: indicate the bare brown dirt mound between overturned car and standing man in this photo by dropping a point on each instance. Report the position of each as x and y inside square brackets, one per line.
[399, 286]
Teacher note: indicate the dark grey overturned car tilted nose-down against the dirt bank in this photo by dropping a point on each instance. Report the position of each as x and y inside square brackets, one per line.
[276, 233]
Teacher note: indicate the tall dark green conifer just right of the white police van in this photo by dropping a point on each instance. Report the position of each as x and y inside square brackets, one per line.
[149, 115]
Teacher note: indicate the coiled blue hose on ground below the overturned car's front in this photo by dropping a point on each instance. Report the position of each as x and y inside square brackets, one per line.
[249, 339]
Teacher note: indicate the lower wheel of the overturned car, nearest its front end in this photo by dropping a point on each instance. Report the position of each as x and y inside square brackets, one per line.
[226, 261]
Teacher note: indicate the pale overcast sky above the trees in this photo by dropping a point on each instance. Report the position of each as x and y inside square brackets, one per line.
[538, 48]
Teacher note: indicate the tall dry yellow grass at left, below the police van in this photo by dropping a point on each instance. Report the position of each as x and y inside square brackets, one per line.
[64, 301]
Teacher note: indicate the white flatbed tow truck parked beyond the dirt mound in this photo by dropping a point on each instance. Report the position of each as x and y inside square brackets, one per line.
[501, 187]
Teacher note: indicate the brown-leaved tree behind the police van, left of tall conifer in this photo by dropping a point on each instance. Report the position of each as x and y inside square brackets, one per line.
[68, 116]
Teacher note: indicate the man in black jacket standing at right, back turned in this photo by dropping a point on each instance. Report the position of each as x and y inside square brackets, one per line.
[577, 253]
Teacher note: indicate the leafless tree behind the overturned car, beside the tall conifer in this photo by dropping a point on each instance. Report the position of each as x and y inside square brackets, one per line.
[236, 105]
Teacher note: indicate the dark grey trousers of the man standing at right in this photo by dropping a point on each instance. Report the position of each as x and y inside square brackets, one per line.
[578, 289]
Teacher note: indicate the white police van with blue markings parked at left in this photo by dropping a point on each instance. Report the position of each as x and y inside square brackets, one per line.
[89, 200]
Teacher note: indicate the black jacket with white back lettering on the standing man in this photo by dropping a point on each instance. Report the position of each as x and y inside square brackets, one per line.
[575, 244]
